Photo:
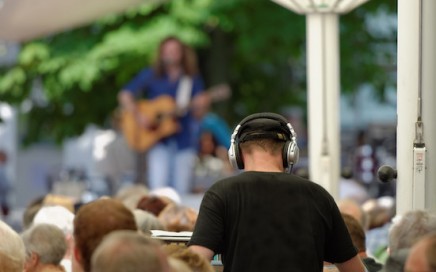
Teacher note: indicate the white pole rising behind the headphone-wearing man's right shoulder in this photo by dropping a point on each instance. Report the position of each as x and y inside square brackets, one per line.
[323, 100]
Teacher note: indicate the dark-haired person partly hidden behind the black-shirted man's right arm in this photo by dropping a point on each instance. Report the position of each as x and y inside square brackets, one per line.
[358, 237]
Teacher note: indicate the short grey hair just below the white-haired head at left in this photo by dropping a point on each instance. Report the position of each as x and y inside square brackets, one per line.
[47, 241]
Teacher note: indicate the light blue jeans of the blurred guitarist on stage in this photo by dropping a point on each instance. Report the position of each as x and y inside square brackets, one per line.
[168, 166]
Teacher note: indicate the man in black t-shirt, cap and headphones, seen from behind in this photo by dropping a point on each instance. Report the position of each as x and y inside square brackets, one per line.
[265, 219]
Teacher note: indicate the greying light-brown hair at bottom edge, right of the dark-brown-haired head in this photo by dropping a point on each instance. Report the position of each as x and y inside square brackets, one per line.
[129, 251]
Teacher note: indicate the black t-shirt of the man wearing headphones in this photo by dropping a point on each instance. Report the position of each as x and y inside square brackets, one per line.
[261, 221]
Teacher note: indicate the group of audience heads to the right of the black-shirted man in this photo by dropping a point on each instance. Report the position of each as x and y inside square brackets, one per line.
[406, 242]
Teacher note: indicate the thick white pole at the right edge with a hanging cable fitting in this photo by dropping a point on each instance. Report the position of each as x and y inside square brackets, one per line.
[416, 128]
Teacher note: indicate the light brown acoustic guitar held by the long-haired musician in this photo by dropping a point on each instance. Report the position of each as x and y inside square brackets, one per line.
[163, 114]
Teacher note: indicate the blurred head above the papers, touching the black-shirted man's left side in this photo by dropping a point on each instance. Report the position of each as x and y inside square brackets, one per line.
[178, 218]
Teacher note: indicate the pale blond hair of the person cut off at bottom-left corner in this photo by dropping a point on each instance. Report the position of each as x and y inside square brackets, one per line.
[12, 253]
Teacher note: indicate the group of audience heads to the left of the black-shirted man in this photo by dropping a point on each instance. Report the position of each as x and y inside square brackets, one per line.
[107, 234]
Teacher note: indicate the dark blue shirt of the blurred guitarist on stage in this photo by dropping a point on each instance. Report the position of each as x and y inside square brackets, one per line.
[146, 84]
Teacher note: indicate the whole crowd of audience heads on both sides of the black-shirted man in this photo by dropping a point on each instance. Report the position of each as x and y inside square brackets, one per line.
[115, 234]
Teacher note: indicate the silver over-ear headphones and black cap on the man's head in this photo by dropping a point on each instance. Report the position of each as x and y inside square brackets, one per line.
[274, 123]
